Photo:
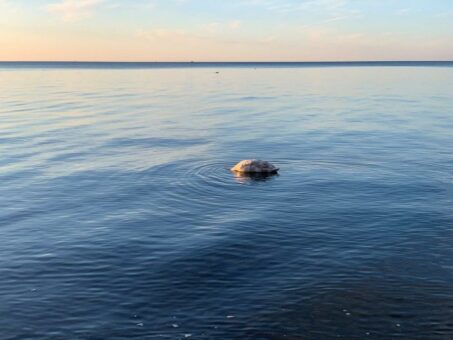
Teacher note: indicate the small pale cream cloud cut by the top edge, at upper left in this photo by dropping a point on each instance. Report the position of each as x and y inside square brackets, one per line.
[72, 10]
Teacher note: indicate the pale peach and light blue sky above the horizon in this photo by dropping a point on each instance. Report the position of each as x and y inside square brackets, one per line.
[225, 30]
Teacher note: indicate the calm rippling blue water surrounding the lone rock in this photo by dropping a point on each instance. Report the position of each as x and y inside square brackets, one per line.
[119, 217]
